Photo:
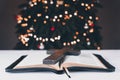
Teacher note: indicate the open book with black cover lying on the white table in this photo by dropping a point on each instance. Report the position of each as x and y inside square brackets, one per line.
[82, 62]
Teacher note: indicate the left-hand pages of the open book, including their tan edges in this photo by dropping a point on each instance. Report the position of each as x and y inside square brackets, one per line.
[35, 60]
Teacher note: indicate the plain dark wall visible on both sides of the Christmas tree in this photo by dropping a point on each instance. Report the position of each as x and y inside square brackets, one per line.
[109, 21]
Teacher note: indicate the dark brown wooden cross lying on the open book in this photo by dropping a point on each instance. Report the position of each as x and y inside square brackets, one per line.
[57, 55]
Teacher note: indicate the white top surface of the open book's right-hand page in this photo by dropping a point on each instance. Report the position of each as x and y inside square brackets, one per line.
[84, 59]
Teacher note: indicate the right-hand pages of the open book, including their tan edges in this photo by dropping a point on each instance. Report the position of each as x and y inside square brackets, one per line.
[83, 60]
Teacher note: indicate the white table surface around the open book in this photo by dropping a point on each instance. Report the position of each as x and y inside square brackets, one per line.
[9, 56]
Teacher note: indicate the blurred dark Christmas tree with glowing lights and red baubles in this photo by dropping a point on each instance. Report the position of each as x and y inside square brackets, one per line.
[55, 24]
